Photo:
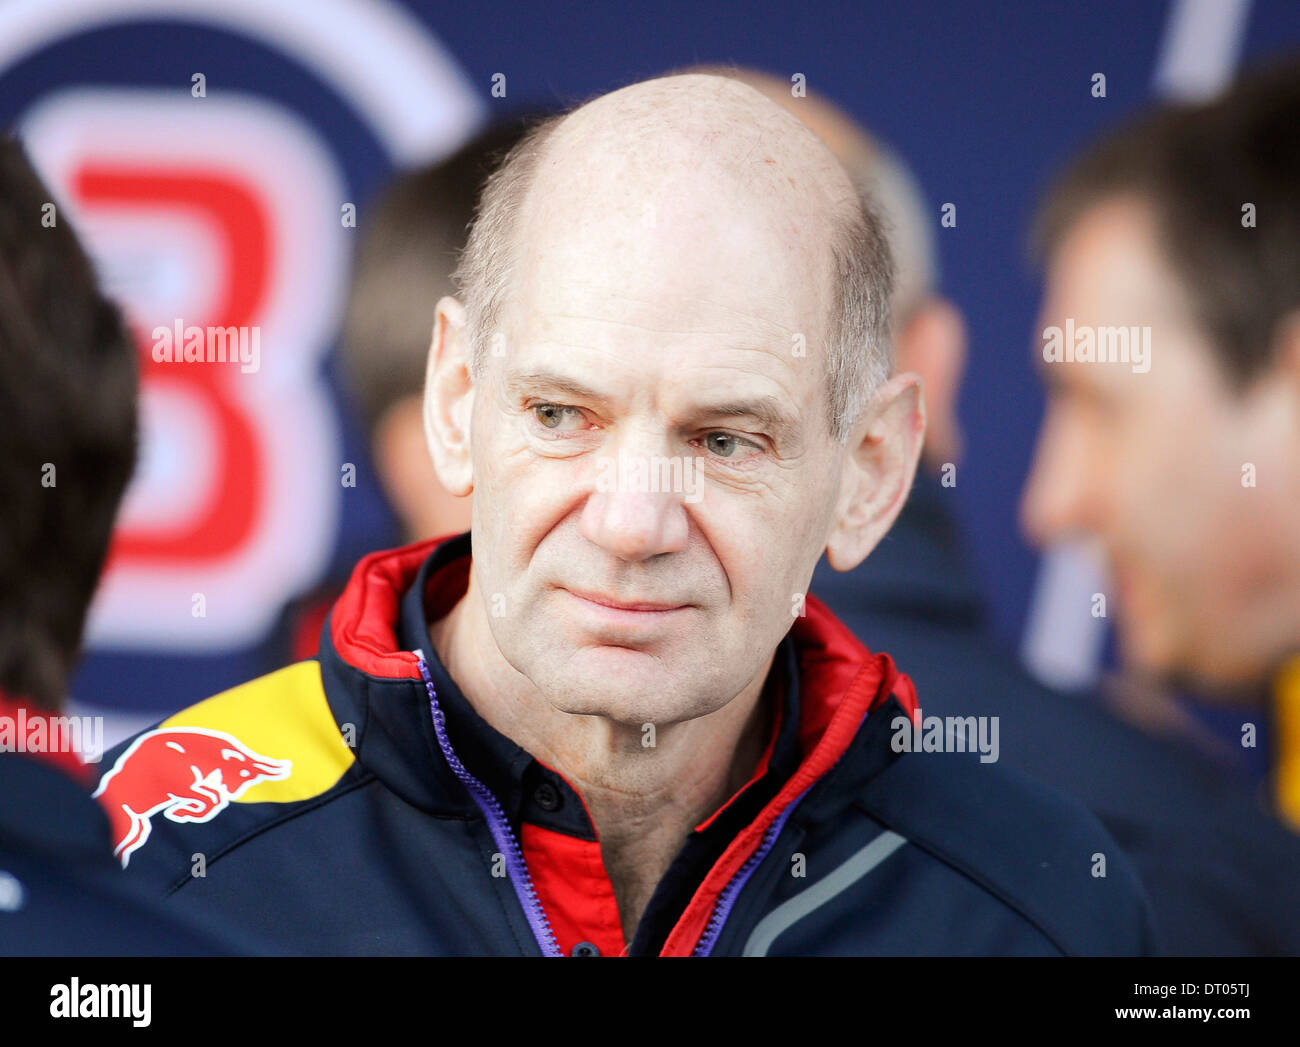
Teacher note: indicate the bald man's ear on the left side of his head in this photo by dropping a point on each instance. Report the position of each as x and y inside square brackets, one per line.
[449, 397]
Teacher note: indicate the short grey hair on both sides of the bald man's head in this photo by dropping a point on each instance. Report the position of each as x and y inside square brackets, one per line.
[860, 356]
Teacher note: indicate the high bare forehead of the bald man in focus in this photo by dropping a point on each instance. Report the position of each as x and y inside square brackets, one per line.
[684, 231]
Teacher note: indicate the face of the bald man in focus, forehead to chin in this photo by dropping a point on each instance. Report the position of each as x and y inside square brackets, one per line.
[655, 434]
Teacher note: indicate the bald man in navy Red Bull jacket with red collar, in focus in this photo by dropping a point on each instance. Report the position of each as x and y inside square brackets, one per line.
[609, 720]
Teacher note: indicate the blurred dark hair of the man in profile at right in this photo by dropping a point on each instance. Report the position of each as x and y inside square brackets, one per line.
[1195, 167]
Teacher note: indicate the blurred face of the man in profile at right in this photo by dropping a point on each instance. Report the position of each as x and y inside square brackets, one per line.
[1152, 464]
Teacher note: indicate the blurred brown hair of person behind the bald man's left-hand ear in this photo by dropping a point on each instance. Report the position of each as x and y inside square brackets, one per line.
[411, 237]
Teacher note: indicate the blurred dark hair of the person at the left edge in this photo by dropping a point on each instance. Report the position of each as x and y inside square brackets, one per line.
[68, 399]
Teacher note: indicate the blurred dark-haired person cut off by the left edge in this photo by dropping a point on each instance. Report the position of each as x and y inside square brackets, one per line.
[68, 399]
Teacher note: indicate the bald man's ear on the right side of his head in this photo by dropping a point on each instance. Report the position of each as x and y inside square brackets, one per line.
[879, 466]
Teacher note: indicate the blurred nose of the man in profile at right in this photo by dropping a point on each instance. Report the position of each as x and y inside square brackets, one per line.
[1056, 503]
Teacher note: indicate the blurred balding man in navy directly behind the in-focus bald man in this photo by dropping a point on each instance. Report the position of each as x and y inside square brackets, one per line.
[1220, 873]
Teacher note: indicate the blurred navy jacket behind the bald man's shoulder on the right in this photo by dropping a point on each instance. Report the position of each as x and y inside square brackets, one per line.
[1221, 873]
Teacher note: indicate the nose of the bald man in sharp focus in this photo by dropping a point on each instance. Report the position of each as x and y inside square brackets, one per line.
[636, 510]
